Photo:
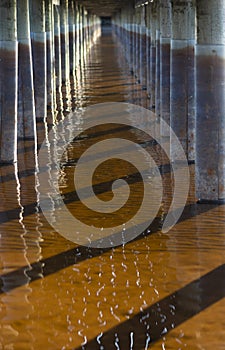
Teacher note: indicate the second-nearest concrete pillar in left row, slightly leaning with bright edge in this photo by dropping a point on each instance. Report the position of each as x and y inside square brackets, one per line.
[26, 106]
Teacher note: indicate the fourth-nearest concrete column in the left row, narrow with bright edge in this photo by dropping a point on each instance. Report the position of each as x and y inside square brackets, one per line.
[50, 54]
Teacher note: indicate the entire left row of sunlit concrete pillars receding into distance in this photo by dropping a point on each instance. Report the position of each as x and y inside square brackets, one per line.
[42, 44]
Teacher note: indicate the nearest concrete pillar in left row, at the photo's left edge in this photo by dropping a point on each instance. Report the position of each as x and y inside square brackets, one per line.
[8, 81]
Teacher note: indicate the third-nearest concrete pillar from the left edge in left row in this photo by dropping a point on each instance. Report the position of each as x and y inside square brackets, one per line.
[38, 40]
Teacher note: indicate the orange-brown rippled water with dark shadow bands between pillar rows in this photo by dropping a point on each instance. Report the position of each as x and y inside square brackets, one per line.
[161, 291]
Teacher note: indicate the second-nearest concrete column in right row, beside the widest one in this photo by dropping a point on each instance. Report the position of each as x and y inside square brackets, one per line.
[183, 74]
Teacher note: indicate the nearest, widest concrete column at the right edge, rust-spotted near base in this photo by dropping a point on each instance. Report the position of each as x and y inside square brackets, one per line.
[210, 97]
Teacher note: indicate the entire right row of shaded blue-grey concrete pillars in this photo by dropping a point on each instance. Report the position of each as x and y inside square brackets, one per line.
[176, 49]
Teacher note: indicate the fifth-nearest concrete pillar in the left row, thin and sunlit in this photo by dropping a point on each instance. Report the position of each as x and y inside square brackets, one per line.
[57, 52]
